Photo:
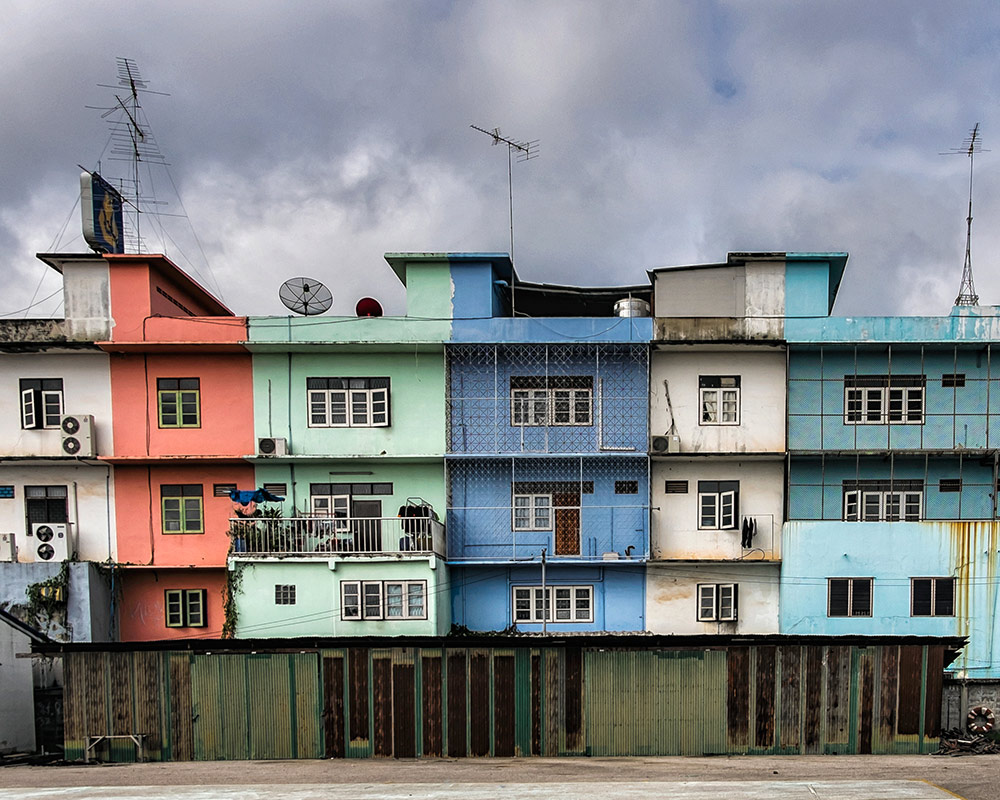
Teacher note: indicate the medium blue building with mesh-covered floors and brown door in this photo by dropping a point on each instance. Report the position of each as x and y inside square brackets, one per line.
[547, 436]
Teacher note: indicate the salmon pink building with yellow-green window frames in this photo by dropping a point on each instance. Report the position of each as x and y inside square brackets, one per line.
[182, 400]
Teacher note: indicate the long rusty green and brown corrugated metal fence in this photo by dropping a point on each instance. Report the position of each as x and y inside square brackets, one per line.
[556, 699]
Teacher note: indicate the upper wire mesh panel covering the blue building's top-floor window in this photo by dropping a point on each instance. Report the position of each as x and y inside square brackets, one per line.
[546, 398]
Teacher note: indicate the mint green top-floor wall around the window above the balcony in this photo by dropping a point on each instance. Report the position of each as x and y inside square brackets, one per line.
[417, 402]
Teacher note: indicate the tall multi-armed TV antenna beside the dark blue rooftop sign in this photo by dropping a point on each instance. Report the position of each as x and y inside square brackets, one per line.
[131, 139]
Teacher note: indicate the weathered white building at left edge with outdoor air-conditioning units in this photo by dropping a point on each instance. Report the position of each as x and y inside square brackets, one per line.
[56, 494]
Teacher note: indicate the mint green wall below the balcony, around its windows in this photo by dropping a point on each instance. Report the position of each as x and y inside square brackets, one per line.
[317, 588]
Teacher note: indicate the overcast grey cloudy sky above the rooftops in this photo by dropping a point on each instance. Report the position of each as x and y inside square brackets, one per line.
[311, 138]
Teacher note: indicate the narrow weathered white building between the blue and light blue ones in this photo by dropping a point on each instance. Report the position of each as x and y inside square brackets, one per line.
[717, 433]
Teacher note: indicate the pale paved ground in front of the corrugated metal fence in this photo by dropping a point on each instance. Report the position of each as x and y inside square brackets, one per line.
[758, 778]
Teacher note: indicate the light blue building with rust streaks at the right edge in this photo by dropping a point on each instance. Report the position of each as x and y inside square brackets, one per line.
[893, 430]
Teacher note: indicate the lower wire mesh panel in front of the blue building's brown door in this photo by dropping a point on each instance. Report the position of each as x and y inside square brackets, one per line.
[580, 508]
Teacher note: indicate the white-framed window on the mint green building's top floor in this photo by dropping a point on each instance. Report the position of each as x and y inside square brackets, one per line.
[348, 402]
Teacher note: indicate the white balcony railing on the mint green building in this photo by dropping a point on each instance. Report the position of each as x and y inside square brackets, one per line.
[332, 537]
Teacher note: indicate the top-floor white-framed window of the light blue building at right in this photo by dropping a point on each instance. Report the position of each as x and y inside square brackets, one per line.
[884, 399]
